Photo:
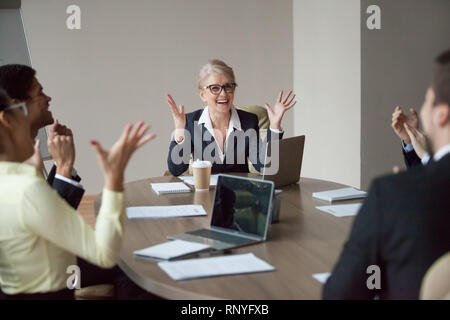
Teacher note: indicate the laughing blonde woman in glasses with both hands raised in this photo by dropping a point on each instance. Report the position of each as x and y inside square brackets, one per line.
[219, 132]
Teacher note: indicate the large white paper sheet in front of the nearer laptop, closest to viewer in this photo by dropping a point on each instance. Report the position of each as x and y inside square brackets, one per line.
[217, 266]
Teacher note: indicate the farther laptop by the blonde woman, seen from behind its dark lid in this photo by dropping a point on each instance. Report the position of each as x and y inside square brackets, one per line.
[290, 156]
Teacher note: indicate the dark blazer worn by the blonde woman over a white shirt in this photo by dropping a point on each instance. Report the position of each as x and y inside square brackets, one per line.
[248, 121]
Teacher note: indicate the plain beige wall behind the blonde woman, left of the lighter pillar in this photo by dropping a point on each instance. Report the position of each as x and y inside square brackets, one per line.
[129, 54]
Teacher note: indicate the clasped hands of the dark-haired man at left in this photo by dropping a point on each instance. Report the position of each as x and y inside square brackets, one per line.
[62, 148]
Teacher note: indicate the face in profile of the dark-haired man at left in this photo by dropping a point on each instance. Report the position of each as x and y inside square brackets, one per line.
[38, 104]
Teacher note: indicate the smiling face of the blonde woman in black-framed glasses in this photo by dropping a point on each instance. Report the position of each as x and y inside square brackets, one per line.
[221, 103]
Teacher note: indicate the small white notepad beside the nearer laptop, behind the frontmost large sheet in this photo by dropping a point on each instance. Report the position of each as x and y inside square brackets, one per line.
[171, 249]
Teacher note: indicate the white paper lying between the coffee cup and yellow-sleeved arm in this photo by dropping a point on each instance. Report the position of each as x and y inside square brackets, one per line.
[156, 212]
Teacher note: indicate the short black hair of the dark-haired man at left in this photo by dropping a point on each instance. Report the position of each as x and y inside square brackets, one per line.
[17, 79]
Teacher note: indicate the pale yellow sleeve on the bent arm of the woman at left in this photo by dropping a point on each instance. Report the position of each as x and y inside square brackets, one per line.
[45, 213]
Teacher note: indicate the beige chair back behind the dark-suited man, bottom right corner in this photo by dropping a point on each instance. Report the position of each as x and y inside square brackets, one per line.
[436, 283]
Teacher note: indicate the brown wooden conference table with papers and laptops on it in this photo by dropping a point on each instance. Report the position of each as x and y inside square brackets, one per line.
[305, 241]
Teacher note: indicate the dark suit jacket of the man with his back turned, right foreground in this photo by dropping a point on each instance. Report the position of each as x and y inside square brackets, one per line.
[403, 227]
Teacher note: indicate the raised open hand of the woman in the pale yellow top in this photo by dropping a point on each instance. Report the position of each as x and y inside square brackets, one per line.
[115, 160]
